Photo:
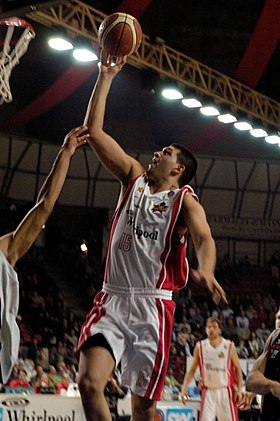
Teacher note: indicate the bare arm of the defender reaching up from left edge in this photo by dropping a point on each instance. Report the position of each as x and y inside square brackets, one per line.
[15, 244]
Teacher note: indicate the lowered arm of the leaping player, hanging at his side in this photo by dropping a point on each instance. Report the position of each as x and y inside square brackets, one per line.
[195, 220]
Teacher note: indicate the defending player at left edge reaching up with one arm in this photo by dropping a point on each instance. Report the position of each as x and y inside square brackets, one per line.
[15, 244]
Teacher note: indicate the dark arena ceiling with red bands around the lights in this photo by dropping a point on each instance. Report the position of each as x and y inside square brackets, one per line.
[240, 39]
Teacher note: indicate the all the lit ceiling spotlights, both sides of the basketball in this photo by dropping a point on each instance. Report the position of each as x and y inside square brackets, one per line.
[87, 55]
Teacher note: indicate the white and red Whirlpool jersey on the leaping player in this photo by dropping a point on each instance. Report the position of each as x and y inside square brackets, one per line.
[144, 250]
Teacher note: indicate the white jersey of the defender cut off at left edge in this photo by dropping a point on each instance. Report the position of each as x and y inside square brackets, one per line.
[9, 331]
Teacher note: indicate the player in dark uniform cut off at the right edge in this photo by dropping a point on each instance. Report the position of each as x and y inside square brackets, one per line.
[264, 378]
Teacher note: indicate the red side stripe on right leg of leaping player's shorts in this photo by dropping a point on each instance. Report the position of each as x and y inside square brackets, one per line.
[165, 315]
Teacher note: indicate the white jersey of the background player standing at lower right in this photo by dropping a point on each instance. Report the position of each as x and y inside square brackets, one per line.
[216, 366]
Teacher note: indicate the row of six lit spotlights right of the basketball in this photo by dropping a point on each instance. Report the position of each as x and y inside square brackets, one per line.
[227, 118]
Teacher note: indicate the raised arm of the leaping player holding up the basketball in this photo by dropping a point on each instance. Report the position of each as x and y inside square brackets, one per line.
[109, 152]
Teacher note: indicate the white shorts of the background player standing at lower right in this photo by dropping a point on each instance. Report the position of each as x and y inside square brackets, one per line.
[218, 403]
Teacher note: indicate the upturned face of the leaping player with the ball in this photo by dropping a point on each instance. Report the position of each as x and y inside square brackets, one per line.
[163, 162]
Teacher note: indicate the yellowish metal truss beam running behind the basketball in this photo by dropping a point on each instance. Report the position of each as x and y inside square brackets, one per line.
[83, 20]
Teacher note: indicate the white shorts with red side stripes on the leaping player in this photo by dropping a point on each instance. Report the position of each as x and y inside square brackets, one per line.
[137, 324]
